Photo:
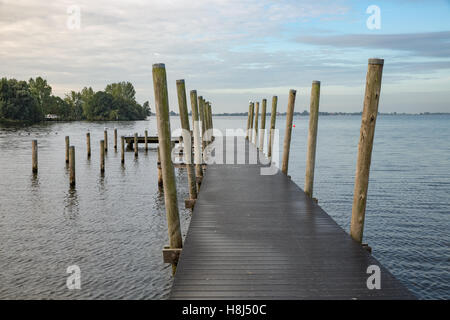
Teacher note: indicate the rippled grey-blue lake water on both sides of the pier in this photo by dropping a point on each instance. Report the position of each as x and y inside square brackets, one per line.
[113, 227]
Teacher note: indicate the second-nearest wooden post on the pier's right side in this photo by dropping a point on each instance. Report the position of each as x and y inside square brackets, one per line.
[312, 137]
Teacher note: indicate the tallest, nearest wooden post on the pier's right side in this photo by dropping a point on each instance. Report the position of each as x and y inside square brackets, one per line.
[369, 117]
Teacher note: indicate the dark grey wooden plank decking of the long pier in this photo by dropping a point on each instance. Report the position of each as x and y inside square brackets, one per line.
[260, 237]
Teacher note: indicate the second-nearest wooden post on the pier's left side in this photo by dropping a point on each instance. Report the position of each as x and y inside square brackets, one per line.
[187, 140]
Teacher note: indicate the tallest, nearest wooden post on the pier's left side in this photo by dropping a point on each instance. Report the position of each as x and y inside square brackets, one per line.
[170, 189]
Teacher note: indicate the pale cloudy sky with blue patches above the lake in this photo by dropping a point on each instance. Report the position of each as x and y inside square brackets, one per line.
[235, 51]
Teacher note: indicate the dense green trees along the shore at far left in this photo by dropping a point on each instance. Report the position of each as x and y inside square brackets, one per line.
[33, 101]
